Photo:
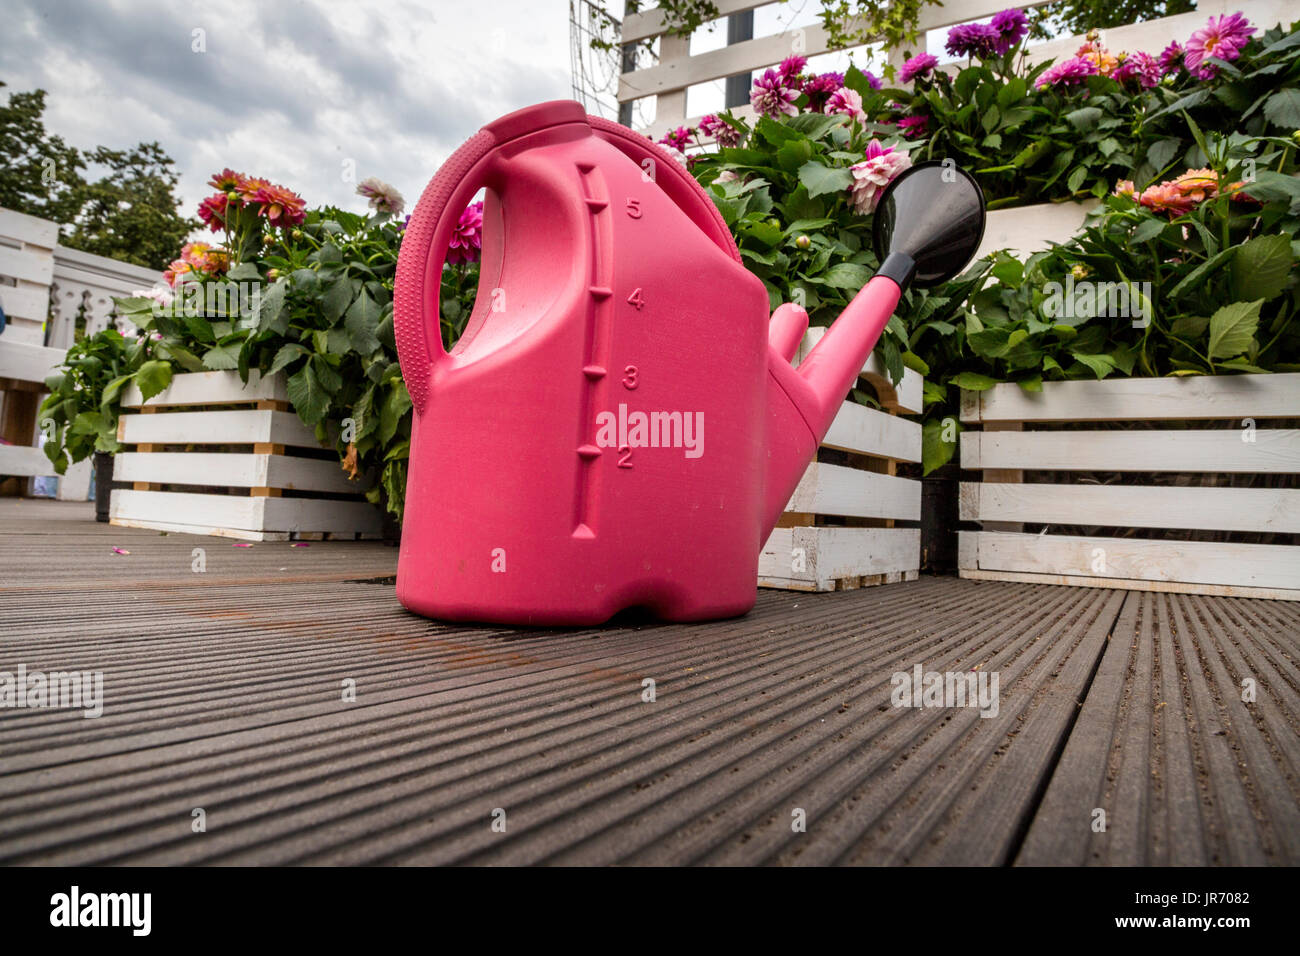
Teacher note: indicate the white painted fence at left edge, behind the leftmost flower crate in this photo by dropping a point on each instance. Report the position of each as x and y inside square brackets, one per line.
[45, 289]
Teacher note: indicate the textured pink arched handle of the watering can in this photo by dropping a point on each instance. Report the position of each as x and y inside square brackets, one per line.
[417, 295]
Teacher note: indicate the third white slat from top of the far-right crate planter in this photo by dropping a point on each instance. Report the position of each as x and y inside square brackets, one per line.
[1129, 507]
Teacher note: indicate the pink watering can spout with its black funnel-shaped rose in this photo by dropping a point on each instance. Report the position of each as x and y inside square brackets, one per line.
[929, 224]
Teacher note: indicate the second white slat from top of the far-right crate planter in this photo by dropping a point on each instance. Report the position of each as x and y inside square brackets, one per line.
[1273, 451]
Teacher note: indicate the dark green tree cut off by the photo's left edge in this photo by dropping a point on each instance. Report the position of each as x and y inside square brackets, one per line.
[40, 174]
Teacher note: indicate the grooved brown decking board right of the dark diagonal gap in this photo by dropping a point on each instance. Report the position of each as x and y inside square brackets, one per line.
[1188, 773]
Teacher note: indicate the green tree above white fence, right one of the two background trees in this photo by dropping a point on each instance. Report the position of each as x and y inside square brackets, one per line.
[132, 213]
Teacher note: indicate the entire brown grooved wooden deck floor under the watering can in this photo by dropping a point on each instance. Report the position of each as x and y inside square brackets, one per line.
[224, 691]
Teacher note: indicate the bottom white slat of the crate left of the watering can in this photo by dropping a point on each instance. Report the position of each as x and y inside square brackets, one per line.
[236, 516]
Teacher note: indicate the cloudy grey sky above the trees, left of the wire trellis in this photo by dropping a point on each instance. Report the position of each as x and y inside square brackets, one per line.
[291, 90]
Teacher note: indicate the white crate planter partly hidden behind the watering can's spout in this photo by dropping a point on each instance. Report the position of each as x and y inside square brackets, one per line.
[805, 553]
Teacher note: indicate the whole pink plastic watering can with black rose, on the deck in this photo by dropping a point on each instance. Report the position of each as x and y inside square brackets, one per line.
[621, 425]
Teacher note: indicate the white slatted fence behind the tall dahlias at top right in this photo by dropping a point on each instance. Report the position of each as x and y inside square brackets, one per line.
[677, 70]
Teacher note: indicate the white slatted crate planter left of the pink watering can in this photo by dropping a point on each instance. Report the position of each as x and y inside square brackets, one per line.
[250, 445]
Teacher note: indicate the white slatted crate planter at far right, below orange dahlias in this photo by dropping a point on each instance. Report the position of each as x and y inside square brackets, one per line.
[1186, 456]
